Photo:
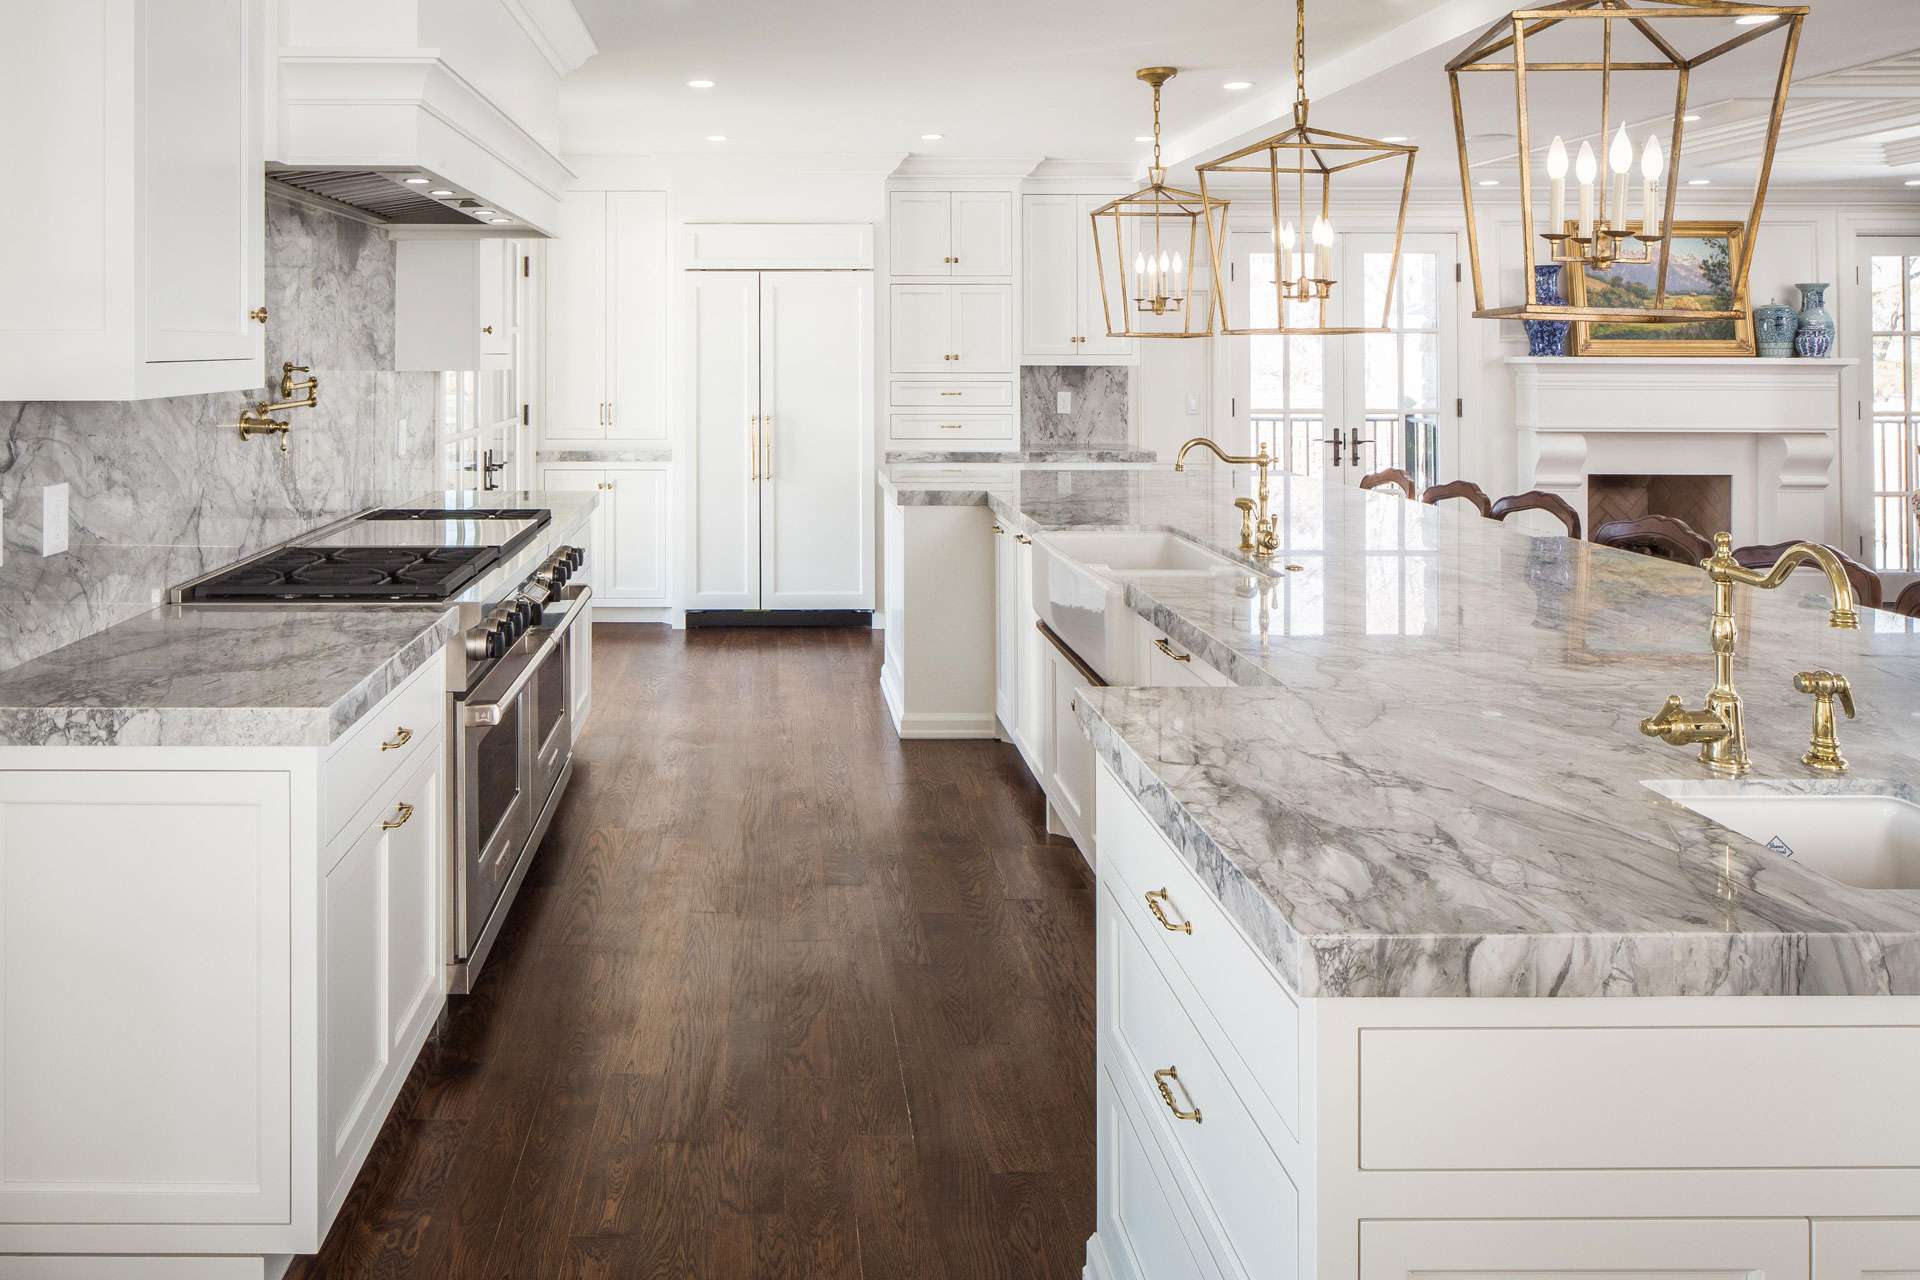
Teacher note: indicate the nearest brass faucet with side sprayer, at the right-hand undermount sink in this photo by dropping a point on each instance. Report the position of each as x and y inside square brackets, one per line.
[1719, 728]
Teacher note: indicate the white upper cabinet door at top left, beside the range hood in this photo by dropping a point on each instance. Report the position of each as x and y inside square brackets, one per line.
[203, 214]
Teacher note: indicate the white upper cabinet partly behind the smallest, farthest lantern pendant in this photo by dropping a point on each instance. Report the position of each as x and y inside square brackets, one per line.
[1063, 320]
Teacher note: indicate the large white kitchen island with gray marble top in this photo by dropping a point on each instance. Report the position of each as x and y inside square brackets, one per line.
[1404, 964]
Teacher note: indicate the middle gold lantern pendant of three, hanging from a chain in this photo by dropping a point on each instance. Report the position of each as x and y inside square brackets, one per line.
[1299, 172]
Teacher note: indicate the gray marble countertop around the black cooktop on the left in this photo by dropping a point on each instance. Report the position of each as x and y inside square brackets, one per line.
[252, 675]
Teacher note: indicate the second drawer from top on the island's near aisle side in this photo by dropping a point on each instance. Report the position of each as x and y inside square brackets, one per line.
[1249, 1206]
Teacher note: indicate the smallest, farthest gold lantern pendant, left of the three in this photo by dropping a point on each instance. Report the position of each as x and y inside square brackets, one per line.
[1155, 272]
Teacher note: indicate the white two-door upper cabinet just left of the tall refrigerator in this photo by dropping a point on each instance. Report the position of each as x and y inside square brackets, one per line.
[608, 318]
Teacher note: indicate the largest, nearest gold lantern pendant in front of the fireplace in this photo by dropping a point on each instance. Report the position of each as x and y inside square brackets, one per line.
[1602, 231]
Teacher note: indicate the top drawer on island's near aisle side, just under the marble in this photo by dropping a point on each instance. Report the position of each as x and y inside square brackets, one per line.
[1234, 989]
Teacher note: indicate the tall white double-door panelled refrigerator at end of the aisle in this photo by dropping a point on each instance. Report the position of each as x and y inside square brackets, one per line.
[782, 404]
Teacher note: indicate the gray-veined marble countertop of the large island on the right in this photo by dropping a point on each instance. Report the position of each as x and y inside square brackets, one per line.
[1431, 778]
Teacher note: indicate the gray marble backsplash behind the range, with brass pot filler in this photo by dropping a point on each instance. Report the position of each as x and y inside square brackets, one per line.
[164, 490]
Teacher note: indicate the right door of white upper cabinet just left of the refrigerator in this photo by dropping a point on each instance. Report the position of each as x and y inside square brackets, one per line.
[636, 325]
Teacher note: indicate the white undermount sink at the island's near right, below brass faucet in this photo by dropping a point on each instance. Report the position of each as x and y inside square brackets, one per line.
[1863, 840]
